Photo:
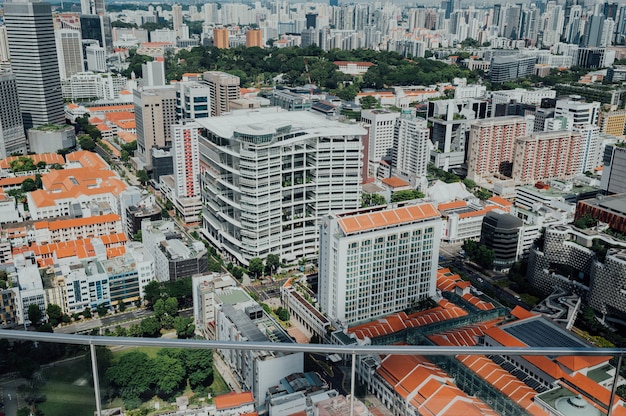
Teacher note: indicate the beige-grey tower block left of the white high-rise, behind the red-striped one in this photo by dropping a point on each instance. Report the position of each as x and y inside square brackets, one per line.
[155, 112]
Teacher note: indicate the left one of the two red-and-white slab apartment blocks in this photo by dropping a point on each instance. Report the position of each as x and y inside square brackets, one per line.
[490, 147]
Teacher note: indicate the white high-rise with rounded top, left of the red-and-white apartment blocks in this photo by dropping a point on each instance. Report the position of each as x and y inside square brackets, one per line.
[411, 145]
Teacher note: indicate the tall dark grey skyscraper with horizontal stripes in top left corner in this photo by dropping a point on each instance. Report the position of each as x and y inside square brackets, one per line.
[34, 62]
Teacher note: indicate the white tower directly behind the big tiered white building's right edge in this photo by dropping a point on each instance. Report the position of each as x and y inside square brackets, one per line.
[381, 133]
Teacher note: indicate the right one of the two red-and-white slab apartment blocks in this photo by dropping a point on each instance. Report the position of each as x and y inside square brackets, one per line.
[547, 155]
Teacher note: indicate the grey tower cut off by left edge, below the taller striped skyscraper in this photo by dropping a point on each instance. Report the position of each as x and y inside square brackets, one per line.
[12, 137]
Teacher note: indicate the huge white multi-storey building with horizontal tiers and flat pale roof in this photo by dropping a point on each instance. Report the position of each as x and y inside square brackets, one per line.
[268, 177]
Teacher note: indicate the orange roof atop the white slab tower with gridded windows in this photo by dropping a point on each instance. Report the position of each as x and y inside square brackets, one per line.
[378, 219]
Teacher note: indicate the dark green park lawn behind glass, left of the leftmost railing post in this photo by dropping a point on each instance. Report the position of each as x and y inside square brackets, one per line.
[68, 390]
